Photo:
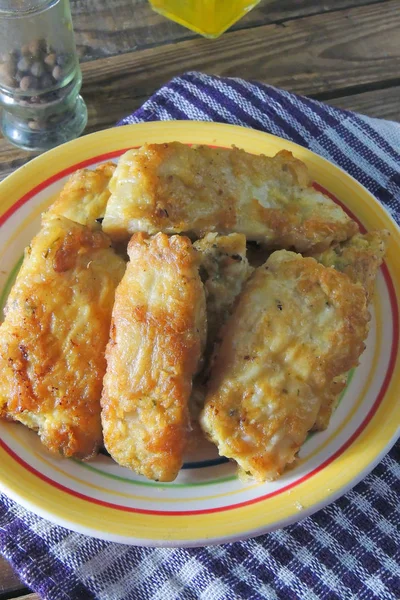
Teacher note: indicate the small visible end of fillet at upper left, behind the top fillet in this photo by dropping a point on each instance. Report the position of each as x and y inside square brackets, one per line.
[84, 197]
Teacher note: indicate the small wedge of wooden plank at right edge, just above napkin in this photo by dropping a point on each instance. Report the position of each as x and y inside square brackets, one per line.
[383, 104]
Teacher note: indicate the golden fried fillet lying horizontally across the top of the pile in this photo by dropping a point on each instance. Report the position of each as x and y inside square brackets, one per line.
[176, 188]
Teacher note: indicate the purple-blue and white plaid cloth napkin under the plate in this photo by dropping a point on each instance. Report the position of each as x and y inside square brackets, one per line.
[350, 549]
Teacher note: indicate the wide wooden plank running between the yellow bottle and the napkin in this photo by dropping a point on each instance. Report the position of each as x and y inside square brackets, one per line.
[353, 48]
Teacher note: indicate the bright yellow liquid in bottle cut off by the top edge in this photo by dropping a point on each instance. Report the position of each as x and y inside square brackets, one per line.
[207, 17]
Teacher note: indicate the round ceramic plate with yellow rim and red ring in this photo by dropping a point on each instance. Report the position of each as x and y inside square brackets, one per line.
[207, 503]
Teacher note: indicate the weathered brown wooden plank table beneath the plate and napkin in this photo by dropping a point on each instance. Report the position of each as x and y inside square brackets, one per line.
[344, 52]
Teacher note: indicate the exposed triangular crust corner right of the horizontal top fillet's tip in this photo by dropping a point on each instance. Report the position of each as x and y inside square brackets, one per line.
[360, 258]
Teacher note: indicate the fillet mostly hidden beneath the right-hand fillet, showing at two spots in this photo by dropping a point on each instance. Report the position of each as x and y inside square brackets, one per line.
[360, 258]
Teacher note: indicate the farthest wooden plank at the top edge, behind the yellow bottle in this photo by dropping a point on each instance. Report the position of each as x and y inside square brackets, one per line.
[125, 25]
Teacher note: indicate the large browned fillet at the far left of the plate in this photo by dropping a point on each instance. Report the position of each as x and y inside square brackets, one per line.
[54, 335]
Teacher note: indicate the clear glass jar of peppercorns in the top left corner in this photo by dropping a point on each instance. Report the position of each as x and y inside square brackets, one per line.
[40, 78]
